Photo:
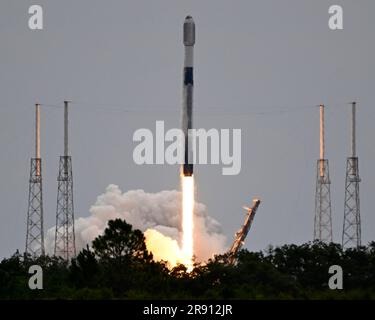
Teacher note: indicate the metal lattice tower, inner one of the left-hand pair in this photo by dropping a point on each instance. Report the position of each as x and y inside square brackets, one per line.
[64, 233]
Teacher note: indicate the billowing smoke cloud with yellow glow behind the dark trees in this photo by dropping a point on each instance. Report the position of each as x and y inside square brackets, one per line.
[158, 215]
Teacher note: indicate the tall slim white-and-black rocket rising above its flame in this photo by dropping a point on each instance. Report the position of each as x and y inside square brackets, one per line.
[188, 85]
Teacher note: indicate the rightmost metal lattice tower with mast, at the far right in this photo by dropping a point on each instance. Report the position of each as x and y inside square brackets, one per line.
[351, 235]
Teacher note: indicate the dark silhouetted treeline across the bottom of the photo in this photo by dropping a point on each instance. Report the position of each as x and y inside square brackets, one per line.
[118, 266]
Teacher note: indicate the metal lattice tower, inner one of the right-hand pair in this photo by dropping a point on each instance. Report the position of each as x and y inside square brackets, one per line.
[323, 215]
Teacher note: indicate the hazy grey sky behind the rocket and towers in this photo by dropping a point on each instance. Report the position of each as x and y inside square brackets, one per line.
[250, 57]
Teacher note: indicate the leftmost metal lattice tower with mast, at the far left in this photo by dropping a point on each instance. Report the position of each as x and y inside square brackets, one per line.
[34, 232]
